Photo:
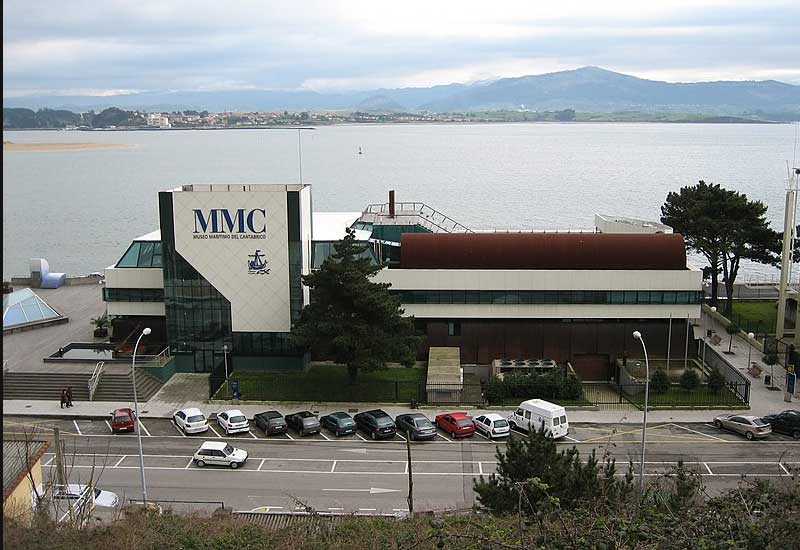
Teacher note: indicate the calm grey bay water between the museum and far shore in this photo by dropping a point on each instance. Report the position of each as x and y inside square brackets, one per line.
[80, 209]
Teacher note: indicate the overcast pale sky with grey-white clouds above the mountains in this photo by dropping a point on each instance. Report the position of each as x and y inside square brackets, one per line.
[112, 46]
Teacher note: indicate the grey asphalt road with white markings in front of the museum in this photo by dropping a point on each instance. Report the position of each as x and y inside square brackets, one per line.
[354, 474]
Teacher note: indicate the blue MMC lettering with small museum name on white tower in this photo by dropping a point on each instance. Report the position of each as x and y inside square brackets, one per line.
[221, 223]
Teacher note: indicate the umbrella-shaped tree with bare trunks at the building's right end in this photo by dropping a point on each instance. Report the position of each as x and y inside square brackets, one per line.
[725, 227]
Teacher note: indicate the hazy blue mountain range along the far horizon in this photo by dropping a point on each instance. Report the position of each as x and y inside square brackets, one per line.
[588, 89]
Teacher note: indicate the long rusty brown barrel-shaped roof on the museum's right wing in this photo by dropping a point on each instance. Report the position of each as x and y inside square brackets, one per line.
[542, 251]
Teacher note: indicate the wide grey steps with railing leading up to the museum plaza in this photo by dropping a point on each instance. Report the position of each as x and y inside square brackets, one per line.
[112, 387]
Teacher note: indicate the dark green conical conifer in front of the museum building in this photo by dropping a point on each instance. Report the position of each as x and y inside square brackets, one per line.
[351, 319]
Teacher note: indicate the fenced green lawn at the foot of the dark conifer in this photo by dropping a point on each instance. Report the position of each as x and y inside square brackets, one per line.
[331, 383]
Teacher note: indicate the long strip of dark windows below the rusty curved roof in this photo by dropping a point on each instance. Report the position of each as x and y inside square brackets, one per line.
[665, 297]
